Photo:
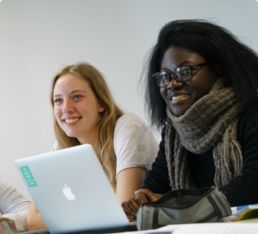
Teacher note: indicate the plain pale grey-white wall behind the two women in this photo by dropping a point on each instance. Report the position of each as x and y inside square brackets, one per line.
[38, 37]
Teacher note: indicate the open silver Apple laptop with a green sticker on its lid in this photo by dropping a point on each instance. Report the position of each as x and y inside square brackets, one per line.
[71, 190]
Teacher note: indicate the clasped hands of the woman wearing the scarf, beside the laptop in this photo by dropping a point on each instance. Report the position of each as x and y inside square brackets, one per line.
[141, 196]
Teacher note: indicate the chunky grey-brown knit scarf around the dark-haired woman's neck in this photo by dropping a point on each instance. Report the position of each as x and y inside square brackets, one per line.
[209, 124]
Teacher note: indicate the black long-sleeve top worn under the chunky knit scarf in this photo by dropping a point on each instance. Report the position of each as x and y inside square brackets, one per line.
[241, 189]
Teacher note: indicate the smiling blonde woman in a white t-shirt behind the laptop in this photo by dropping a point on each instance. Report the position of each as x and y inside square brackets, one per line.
[85, 113]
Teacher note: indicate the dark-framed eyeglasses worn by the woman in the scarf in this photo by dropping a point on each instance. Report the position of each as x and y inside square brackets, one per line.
[181, 73]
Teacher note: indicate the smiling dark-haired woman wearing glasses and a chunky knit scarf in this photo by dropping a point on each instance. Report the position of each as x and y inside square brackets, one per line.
[201, 90]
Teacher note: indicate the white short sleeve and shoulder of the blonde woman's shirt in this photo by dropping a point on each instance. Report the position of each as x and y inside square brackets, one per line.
[134, 143]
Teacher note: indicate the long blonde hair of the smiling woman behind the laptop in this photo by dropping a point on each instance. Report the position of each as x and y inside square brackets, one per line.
[108, 118]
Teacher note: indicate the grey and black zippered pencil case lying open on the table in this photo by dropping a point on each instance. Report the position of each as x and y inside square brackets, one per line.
[184, 206]
